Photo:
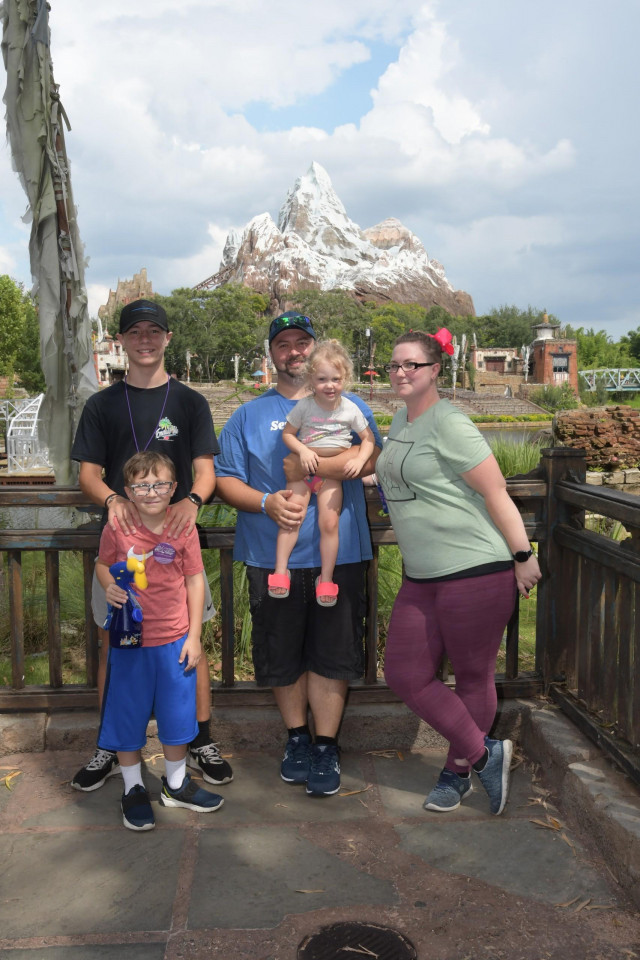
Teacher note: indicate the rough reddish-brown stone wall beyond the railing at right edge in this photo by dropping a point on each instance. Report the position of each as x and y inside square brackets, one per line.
[610, 435]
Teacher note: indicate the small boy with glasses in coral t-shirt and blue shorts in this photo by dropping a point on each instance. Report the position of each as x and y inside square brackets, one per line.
[157, 676]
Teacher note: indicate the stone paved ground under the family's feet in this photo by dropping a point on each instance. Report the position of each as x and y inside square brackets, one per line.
[272, 866]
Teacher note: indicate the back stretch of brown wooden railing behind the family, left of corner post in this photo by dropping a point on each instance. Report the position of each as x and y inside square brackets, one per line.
[528, 493]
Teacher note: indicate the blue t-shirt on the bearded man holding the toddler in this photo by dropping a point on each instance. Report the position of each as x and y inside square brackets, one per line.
[252, 450]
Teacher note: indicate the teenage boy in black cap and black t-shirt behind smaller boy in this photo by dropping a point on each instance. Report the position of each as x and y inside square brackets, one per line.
[148, 410]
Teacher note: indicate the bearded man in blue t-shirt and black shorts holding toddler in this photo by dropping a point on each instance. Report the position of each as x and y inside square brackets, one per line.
[307, 653]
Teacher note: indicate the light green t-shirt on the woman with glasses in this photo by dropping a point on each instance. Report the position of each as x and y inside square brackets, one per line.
[442, 525]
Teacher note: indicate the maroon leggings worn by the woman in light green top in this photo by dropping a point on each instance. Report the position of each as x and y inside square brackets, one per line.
[464, 619]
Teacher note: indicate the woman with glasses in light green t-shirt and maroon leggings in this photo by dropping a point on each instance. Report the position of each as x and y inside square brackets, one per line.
[466, 554]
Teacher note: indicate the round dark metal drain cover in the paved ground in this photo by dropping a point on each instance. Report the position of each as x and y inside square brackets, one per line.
[356, 941]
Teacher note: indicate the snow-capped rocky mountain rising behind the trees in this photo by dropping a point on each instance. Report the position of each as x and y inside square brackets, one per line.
[315, 244]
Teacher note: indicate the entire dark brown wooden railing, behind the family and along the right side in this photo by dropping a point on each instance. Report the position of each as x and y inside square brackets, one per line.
[587, 620]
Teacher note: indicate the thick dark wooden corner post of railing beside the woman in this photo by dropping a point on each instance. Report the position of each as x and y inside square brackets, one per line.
[559, 578]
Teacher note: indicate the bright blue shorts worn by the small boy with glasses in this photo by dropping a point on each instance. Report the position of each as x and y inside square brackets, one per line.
[142, 681]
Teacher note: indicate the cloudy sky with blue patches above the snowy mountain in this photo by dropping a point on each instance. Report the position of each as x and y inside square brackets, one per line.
[504, 134]
